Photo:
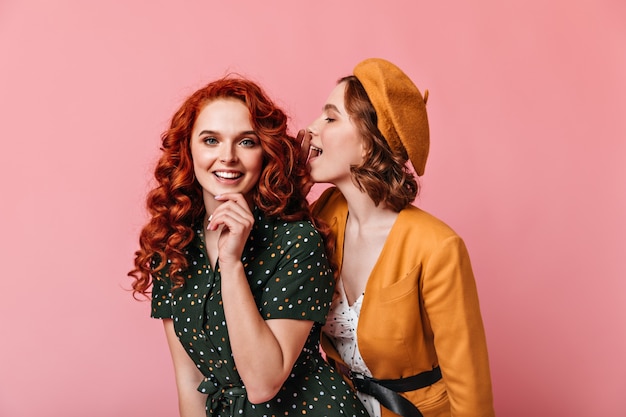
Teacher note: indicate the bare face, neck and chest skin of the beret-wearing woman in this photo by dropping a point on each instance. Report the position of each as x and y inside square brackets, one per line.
[336, 136]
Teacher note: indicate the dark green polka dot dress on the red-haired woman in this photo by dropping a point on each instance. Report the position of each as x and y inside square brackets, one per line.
[290, 279]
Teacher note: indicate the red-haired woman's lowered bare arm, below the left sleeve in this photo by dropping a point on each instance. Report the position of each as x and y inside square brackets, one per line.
[191, 402]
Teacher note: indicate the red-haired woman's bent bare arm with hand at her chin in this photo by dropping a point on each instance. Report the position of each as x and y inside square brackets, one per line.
[264, 351]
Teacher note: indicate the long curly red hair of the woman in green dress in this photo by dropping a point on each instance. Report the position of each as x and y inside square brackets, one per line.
[176, 203]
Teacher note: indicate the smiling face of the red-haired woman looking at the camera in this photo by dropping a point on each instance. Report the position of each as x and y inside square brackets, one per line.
[227, 154]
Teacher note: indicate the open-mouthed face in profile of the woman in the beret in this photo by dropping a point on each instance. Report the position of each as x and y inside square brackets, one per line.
[336, 144]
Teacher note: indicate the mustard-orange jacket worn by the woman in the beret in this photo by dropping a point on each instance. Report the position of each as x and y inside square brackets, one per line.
[420, 310]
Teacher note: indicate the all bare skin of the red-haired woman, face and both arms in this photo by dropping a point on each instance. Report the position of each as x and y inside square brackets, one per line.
[227, 157]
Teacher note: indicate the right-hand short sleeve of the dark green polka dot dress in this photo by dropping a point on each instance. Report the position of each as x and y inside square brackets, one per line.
[301, 286]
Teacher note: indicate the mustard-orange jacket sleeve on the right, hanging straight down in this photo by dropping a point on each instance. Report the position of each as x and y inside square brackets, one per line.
[452, 307]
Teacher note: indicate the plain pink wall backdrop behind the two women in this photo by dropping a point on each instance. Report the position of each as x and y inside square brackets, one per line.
[527, 108]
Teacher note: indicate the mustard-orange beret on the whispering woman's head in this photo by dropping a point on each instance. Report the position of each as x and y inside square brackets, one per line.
[400, 108]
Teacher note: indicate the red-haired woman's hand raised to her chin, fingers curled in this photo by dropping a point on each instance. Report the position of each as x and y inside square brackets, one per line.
[234, 220]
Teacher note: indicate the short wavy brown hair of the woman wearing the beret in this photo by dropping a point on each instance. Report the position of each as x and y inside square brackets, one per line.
[384, 174]
